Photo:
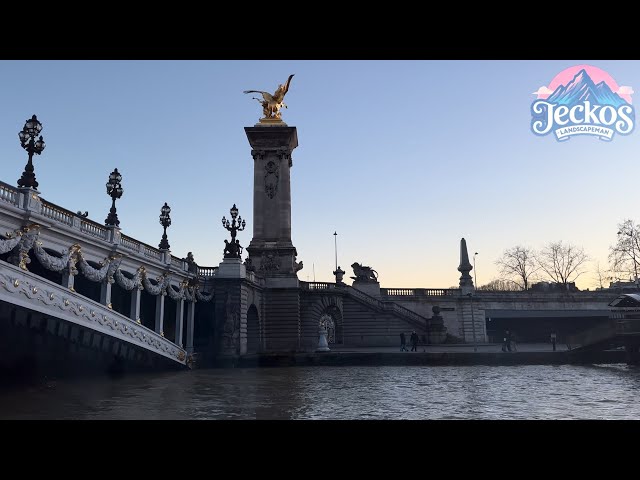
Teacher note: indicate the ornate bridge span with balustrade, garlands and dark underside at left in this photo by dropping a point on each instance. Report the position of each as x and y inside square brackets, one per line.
[76, 292]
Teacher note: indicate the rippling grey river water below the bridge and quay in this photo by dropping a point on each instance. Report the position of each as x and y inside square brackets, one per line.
[470, 392]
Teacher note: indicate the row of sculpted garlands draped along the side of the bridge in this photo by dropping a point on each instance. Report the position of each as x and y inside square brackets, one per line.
[26, 240]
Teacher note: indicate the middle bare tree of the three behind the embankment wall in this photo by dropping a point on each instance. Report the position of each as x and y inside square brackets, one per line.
[563, 263]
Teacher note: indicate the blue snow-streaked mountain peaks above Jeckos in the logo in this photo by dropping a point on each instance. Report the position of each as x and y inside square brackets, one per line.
[582, 88]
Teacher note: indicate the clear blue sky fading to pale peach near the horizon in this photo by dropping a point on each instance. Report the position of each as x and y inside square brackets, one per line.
[401, 158]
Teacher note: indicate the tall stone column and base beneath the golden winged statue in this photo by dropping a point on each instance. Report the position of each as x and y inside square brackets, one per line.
[271, 251]
